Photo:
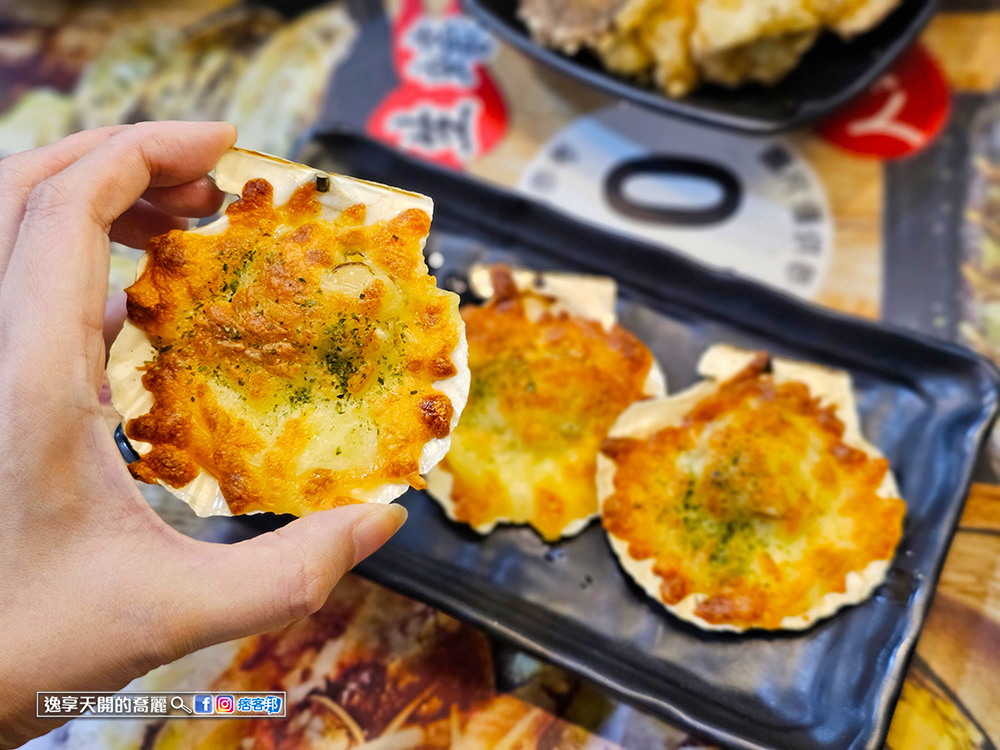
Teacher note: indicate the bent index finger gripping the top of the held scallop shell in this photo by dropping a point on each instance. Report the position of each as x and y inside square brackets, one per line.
[59, 266]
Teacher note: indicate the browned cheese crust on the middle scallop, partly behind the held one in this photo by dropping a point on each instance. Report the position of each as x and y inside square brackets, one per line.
[544, 394]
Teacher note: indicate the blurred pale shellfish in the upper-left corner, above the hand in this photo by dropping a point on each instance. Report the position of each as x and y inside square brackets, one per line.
[76, 66]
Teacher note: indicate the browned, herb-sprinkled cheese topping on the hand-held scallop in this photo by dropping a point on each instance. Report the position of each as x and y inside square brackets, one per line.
[286, 313]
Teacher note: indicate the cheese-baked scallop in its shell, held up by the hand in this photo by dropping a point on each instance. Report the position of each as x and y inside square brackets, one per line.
[295, 354]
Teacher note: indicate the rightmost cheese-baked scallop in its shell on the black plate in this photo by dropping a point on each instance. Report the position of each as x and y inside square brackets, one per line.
[751, 499]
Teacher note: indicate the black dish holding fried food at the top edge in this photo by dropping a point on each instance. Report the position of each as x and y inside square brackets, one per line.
[831, 73]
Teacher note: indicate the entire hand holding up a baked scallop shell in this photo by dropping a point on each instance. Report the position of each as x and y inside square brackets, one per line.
[97, 590]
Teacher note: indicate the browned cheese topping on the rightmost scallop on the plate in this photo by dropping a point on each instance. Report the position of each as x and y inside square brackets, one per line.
[754, 501]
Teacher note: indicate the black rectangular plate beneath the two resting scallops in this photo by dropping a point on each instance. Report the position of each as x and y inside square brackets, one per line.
[927, 405]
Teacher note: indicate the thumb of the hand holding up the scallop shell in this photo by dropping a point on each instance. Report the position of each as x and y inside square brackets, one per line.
[267, 582]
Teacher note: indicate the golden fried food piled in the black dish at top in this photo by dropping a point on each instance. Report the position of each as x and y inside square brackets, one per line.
[677, 44]
